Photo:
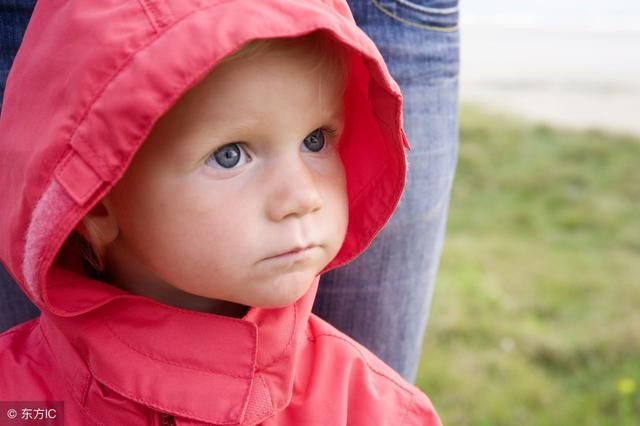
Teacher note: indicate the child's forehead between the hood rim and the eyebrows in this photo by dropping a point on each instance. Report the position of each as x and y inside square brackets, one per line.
[276, 85]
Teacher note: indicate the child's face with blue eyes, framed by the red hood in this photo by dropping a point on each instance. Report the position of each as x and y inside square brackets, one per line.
[239, 193]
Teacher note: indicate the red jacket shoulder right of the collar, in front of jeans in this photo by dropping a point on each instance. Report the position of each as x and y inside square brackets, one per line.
[341, 382]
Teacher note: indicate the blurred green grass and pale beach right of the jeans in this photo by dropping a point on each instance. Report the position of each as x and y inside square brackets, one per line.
[536, 318]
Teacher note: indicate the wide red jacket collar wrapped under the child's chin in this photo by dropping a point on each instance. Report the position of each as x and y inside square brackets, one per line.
[200, 366]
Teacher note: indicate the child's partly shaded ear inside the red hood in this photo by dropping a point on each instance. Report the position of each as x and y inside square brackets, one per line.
[99, 227]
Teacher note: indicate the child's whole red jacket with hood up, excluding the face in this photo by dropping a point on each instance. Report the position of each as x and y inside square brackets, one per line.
[89, 82]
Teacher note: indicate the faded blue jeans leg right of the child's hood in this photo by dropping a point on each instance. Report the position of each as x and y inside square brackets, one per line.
[382, 299]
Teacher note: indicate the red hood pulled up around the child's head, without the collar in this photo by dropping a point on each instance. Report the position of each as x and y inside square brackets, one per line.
[91, 79]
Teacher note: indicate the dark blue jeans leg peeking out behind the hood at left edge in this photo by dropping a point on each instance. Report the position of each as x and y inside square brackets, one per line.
[14, 16]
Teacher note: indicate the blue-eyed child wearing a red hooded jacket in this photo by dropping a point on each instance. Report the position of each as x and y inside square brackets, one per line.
[176, 285]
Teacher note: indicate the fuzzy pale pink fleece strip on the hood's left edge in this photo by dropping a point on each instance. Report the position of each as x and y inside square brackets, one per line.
[47, 217]
